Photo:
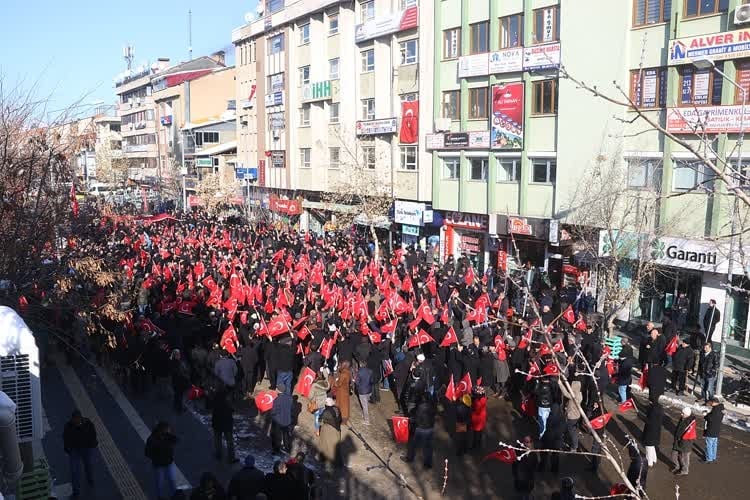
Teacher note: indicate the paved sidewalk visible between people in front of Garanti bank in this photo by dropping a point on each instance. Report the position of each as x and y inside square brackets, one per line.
[737, 416]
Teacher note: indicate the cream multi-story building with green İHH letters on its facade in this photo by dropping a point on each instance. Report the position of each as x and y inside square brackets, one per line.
[326, 89]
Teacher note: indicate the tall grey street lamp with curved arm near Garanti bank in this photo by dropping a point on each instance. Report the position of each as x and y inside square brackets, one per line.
[705, 63]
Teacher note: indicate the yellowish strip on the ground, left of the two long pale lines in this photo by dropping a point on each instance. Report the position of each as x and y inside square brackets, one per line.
[113, 459]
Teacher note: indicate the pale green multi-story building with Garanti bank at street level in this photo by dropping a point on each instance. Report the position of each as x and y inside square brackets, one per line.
[513, 135]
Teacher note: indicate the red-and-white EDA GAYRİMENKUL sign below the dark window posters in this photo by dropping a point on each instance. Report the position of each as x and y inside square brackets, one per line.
[707, 119]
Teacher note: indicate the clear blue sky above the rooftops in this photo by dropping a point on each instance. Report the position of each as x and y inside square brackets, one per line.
[71, 50]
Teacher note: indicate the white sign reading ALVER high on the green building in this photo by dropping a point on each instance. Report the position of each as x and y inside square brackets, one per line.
[716, 46]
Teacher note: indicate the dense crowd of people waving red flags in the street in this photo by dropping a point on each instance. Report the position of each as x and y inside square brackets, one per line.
[219, 307]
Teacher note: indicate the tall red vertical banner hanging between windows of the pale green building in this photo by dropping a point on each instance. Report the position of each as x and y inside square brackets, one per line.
[507, 116]
